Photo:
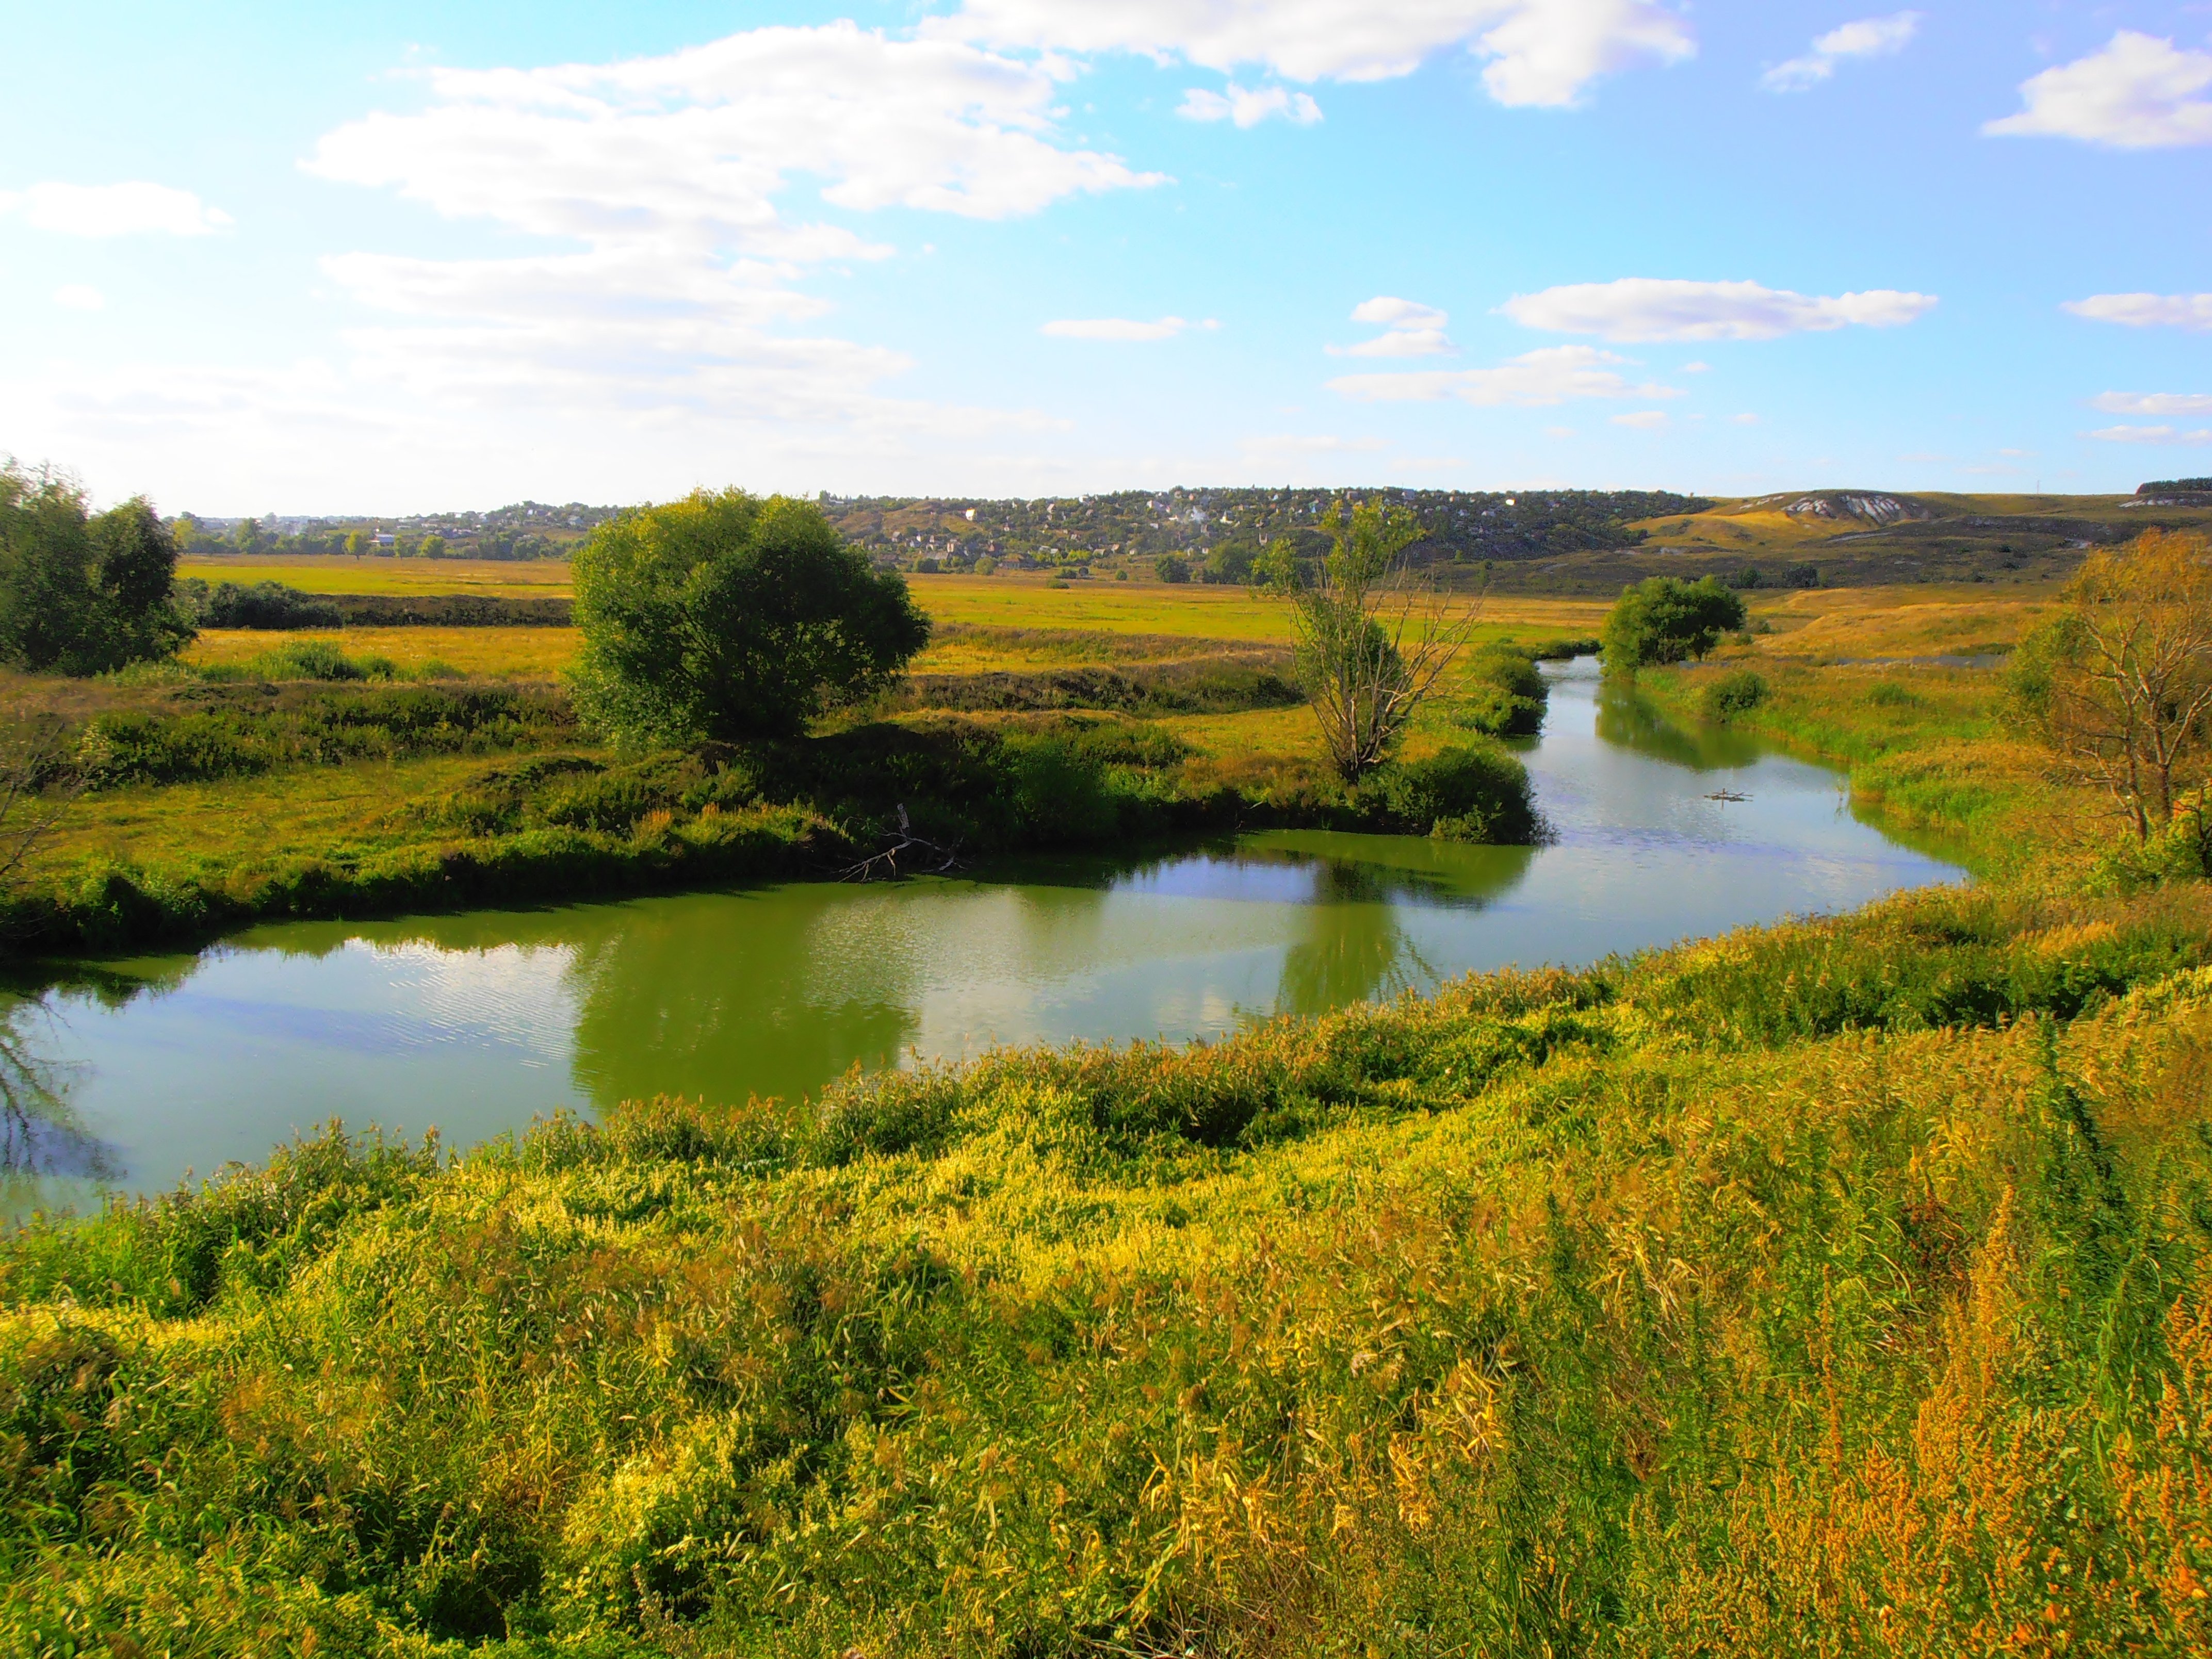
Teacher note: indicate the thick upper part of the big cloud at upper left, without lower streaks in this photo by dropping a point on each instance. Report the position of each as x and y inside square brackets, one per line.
[693, 147]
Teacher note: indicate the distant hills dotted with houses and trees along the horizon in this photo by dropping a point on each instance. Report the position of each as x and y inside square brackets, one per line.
[1541, 541]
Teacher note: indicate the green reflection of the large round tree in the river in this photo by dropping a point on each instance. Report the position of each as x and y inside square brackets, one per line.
[713, 1001]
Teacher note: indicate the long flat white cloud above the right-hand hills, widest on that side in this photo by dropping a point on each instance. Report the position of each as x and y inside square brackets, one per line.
[1649, 309]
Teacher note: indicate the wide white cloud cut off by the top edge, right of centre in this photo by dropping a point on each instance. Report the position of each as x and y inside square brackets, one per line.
[1538, 52]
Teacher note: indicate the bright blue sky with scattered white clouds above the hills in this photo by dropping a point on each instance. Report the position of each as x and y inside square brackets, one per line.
[275, 258]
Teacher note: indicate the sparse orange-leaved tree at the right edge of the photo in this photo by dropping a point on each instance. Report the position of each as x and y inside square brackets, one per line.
[2122, 680]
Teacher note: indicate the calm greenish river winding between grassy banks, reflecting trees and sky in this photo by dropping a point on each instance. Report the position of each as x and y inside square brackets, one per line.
[127, 1076]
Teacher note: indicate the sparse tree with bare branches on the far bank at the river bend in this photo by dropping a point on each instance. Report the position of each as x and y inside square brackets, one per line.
[1373, 636]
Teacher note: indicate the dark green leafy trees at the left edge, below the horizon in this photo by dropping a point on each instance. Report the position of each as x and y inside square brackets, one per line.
[81, 592]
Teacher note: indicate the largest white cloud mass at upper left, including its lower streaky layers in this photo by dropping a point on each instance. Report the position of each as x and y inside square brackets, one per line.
[674, 182]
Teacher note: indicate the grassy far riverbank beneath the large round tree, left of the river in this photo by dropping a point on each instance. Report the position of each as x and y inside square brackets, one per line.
[213, 804]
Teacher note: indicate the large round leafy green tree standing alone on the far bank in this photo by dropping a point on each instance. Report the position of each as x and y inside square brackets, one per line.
[727, 616]
